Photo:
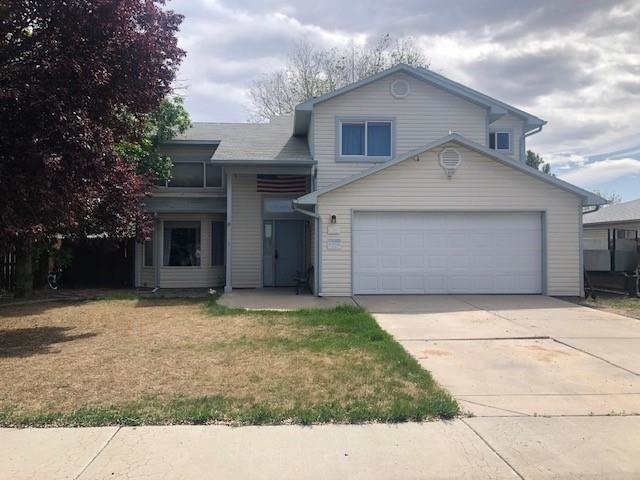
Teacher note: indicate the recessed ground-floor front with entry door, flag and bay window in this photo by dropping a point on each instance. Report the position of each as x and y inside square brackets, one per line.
[248, 236]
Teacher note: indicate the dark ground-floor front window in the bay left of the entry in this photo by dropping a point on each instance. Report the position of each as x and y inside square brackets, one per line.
[181, 245]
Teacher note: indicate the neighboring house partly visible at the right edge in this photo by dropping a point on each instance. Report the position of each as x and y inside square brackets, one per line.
[611, 238]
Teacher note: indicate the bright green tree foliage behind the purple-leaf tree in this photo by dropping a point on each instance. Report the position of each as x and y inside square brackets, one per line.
[164, 123]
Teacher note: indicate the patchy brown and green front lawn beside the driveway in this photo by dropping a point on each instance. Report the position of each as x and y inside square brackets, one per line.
[140, 361]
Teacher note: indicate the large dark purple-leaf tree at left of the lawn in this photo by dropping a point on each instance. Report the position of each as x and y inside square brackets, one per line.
[77, 77]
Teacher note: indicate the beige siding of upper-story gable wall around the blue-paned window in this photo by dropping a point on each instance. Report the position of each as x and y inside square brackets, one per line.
[427, 114]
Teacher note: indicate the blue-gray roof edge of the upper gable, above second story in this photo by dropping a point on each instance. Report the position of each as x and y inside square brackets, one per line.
[496, 107]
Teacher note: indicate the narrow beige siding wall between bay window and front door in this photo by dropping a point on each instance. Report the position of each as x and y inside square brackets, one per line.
[246, 238]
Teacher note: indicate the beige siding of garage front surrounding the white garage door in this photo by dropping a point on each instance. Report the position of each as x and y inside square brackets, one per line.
[480, 184]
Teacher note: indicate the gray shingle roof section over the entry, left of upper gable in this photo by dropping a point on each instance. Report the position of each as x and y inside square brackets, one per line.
[252, 141]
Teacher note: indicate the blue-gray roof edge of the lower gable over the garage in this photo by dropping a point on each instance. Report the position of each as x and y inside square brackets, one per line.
[588, 198]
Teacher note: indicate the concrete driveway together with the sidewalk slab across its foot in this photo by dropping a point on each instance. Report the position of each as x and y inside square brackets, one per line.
[550, 384]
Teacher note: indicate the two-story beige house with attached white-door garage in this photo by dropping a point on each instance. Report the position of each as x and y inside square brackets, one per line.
[405, 182]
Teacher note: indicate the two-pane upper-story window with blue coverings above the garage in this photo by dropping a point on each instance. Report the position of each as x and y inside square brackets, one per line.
[361, 139]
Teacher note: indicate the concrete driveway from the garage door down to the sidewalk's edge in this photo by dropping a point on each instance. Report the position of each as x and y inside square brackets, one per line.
[519, 355]
